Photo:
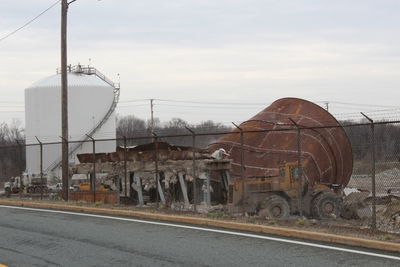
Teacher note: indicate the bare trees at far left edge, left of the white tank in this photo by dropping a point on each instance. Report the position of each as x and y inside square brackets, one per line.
[12, 152]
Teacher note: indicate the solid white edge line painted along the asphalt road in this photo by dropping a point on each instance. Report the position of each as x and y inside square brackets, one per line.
[212, 230]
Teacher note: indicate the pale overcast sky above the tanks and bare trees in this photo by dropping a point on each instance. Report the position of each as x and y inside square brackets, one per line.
[229, 51]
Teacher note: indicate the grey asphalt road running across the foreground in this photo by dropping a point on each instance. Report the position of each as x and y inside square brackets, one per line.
[38, 238]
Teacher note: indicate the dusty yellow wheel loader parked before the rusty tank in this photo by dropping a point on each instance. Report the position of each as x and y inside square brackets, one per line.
[278, 197]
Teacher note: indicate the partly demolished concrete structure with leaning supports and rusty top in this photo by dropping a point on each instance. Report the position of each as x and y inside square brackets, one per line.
[131, 173]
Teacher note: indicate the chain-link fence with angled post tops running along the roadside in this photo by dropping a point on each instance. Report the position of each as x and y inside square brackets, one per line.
[324, 172]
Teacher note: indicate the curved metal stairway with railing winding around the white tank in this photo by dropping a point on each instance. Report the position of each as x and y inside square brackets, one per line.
[76, 146]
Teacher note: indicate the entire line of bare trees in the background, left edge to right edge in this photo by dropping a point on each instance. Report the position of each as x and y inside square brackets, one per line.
[12, 150]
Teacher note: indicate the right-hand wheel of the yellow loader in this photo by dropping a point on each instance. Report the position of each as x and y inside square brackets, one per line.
[326, 206]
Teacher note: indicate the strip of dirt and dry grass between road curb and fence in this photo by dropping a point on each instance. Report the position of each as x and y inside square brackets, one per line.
[355, 228]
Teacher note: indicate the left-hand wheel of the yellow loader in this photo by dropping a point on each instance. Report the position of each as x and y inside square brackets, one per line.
[275, 207]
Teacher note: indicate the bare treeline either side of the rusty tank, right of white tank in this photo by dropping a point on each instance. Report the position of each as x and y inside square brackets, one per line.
[387, 136]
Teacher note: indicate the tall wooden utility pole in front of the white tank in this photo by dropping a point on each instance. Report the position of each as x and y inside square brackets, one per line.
[64, 99]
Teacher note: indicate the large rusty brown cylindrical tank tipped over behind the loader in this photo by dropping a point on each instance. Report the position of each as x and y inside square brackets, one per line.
[326, 154]
